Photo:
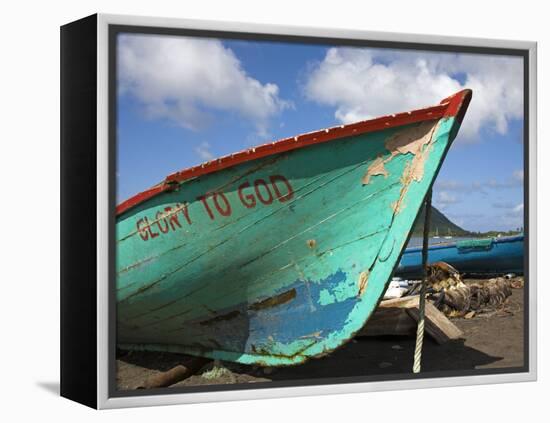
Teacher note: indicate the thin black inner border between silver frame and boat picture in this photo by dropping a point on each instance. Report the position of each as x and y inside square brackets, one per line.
[114, 30]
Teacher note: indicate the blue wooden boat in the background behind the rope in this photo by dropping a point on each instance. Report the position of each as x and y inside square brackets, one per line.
[482, 257]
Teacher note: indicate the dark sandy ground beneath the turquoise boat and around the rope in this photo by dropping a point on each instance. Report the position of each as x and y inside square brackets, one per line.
[493, 339]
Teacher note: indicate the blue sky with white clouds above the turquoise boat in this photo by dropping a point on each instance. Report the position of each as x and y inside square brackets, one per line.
[183, 101]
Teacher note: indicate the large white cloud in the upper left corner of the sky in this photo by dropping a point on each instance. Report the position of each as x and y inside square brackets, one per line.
[179, 78]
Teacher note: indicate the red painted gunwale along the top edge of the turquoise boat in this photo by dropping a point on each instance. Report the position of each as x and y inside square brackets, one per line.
[453, 106]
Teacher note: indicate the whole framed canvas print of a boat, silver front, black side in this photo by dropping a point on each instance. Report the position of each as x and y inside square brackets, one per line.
[254, 211]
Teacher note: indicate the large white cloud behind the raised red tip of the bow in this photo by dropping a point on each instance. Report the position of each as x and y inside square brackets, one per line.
[365, 83]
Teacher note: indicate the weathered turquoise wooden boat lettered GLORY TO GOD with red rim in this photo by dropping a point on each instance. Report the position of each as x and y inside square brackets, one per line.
[280, 252]
